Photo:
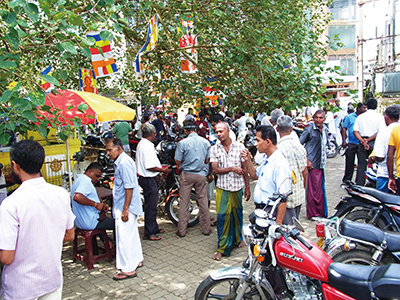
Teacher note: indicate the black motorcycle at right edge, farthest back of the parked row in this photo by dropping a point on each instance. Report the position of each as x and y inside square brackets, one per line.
[370, 206]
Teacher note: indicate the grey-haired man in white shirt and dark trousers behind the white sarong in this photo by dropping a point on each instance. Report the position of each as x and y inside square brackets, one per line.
[148, 167]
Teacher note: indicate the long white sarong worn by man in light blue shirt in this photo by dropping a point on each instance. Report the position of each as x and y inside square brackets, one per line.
[129, 248]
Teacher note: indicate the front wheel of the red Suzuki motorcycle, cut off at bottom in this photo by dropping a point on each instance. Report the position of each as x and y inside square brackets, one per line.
[226, 288]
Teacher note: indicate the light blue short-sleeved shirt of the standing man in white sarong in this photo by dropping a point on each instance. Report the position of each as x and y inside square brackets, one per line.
[125, 178]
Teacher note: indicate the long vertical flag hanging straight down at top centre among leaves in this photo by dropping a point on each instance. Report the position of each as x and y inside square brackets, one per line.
[187, 39]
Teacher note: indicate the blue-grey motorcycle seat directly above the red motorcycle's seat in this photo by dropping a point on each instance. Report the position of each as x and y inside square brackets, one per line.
[370, 233]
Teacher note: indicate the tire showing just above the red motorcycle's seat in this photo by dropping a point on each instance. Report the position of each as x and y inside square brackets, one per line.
[359, 257]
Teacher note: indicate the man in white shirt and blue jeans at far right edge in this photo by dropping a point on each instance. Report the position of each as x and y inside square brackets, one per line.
[381, 146]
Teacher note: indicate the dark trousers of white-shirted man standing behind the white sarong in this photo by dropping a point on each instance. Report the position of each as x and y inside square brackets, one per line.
[150, 193]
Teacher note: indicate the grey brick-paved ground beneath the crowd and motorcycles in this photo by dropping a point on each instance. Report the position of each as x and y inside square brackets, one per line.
[173, 267]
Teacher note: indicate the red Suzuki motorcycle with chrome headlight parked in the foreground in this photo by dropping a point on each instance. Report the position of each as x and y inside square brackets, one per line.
[282, 264]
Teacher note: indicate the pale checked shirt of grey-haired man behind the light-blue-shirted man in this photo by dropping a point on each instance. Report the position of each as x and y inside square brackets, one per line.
[297, 158]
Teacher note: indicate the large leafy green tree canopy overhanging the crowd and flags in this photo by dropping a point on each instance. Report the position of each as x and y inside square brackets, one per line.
[261, 54]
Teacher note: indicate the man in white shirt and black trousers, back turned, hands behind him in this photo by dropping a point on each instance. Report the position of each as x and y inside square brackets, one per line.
[365, 130]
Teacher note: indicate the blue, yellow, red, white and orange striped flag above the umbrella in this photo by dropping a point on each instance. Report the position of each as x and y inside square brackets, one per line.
[103, 63]
